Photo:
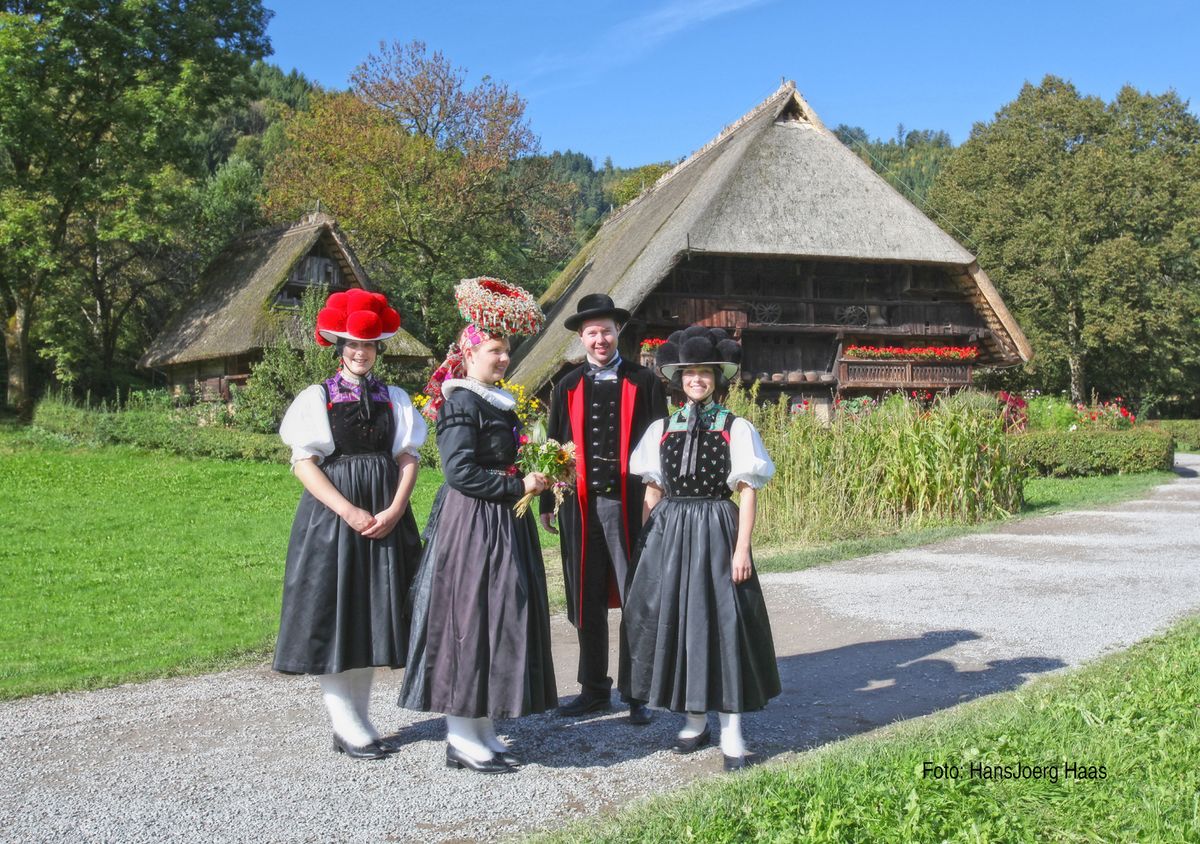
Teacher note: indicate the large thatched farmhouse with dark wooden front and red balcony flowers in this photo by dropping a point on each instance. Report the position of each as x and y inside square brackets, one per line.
[781, 234]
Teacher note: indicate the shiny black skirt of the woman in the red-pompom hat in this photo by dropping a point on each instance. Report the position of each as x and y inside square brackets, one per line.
[345, 595]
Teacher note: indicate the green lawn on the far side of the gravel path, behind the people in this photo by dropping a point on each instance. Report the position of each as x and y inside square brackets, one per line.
[123, 566]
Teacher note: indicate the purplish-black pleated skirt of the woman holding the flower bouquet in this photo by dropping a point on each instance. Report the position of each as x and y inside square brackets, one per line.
[481, 635]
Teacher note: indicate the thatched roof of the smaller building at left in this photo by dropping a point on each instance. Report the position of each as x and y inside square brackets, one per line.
[232, 313]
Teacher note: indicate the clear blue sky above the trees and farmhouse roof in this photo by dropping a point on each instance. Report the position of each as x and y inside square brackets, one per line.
[653, 81]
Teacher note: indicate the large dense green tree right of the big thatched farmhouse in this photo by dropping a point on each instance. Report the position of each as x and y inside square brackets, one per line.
[1088, 217]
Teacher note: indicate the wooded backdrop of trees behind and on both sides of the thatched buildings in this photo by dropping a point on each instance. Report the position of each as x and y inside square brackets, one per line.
[124, 176]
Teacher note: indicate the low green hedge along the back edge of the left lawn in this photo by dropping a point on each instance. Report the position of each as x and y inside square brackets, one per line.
[158, 432]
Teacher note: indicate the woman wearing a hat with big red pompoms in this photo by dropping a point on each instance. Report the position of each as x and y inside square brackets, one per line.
[355, 543]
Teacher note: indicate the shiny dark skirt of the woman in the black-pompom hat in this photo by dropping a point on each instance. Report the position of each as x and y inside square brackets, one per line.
[698, 642]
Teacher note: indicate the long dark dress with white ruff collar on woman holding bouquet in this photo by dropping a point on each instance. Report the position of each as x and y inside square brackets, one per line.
[481, 637]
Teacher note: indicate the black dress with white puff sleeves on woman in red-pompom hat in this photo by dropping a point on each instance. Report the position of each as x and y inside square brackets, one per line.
[344, 595]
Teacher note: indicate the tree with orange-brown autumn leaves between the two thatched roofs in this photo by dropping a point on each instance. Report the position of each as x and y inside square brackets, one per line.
[436, 181]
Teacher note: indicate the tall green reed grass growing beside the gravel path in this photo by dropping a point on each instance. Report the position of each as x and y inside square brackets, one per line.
[898, 466]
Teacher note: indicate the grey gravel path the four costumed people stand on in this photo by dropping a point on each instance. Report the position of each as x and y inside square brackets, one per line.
[244, 756]
